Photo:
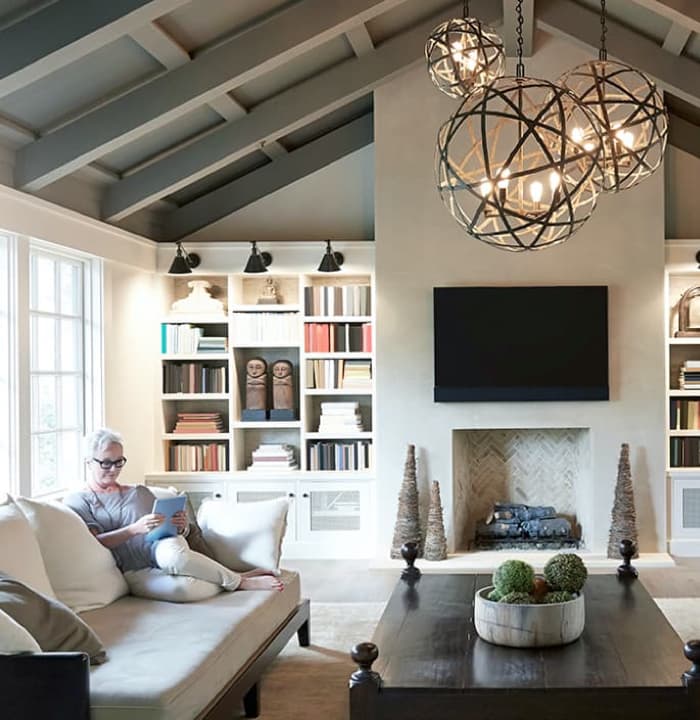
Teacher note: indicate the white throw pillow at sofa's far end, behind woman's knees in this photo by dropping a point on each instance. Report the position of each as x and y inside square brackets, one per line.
[243, 536]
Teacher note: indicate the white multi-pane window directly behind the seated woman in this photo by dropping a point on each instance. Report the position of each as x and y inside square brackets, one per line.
[62, 350]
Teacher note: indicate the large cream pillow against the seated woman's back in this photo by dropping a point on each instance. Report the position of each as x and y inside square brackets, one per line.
[82, 572]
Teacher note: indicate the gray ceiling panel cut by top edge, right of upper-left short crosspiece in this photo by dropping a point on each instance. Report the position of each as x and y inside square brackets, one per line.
[201, 23]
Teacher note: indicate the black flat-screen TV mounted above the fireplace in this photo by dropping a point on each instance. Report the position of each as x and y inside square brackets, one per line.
[521, 343]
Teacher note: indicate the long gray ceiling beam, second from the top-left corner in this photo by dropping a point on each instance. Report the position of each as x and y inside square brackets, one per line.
[152, 105]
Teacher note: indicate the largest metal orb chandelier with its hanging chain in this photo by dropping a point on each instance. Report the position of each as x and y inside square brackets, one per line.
[506, 166]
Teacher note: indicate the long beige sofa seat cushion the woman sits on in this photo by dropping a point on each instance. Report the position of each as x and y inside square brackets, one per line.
[168, 661]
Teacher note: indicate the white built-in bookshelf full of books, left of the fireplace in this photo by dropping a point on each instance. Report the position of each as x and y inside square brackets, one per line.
[322, 457]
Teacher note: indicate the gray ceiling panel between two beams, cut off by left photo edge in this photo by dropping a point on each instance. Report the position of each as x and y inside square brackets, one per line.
[66, 93]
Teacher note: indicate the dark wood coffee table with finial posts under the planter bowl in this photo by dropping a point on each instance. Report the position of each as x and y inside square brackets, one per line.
[628, 664]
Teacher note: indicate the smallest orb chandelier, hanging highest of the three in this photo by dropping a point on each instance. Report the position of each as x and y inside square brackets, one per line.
[463, 53]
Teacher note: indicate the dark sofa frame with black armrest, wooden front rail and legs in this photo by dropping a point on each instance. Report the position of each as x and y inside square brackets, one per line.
[57, 685]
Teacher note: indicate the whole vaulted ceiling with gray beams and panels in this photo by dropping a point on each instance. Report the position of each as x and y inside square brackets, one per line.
[188, 111]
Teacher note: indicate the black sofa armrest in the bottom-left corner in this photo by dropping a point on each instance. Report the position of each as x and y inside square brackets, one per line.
[45, 685]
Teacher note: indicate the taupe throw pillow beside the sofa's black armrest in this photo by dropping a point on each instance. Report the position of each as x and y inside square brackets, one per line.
[52, 624]
